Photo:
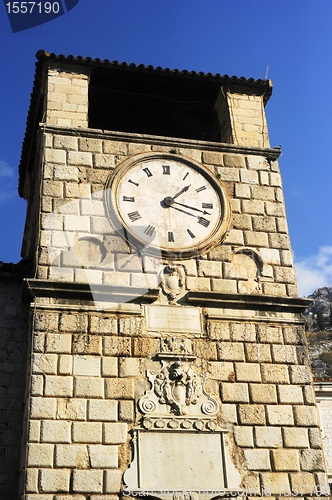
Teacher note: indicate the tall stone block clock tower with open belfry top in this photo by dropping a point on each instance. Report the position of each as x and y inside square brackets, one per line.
[167, 354]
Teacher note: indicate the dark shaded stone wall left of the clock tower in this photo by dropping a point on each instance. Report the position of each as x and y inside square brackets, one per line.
[13, 354]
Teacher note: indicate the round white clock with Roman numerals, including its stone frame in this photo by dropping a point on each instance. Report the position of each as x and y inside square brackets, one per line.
[168, 203]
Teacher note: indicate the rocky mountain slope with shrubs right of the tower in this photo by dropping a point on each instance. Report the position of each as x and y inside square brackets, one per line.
[319, 332]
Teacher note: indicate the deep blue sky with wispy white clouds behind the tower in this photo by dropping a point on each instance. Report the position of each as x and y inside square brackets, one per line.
[238, 37]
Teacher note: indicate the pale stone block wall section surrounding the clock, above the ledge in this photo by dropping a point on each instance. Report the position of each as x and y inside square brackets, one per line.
[255, 257]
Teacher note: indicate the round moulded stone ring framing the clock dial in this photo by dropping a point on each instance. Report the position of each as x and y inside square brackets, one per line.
[118, 223]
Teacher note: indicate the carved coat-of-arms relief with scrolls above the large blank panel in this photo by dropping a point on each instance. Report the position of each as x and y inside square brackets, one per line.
[177, 388]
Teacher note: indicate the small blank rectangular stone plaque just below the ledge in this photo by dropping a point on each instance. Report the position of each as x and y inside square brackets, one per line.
[173, 319]
